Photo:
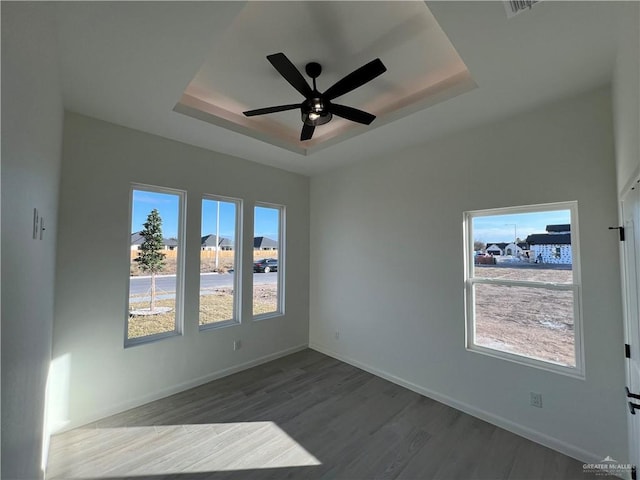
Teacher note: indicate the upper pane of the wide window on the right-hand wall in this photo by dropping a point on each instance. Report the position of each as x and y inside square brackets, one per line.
[533, 246]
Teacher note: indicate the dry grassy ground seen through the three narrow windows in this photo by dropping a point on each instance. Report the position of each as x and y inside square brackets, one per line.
[215, 306]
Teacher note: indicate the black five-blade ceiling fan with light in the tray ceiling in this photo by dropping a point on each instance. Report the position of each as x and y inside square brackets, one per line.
[318, 108]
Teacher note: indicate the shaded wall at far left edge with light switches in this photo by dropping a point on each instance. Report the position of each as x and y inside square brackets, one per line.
[31, 147]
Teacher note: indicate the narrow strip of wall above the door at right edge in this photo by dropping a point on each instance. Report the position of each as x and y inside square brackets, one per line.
[626, 96]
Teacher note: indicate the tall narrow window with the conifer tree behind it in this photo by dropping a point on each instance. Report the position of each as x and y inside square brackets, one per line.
[156, 259]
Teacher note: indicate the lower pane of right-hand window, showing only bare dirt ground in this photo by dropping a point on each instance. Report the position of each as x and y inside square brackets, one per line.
[532, 322]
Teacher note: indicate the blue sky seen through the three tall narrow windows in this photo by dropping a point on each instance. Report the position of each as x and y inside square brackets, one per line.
[265, 223]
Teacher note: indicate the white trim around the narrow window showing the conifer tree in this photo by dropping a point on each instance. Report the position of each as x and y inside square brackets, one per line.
[180, 257]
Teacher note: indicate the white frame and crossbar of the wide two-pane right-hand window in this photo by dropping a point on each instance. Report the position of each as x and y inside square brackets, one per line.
[576, 287]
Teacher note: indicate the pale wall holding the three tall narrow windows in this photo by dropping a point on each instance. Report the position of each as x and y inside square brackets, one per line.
[96, 374]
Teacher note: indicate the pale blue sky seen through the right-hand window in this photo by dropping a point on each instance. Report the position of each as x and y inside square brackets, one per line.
[504, 228]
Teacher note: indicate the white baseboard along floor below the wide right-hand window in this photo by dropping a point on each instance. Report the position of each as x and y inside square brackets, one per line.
[526, 432]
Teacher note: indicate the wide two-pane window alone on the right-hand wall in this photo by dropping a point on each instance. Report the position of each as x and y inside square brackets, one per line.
[525, 307]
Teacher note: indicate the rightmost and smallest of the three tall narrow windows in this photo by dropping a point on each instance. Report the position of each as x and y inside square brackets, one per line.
[268, 260]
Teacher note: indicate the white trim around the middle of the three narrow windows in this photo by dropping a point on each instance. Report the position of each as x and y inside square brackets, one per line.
[237, 266]
